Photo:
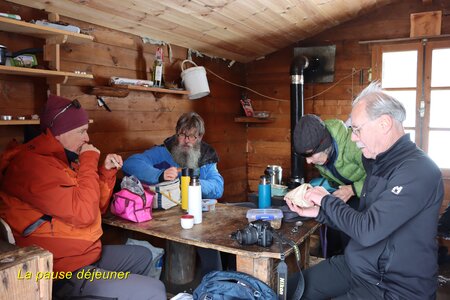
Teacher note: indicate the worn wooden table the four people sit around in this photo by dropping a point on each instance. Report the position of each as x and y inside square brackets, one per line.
[214, 233]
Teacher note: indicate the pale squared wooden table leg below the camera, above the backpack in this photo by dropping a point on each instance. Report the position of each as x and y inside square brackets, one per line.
[261, 268]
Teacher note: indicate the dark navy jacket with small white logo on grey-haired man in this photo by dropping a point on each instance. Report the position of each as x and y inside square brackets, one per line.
[393, 235]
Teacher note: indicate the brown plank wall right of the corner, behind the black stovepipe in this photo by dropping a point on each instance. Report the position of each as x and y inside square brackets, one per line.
[270, 143]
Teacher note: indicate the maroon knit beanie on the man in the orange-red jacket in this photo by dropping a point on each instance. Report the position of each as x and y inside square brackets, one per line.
[69, 119]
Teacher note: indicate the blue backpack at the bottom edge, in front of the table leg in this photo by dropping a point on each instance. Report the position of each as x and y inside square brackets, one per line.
[225, 285]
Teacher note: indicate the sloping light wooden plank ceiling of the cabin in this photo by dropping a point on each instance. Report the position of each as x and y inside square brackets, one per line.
[241, 30]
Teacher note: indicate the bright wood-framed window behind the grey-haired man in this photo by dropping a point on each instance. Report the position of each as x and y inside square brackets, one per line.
[417, 74]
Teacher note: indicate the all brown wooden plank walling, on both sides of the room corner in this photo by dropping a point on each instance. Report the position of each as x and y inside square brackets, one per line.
[142, 120]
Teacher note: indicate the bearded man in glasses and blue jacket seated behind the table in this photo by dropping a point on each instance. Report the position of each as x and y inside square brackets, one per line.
[185, 149]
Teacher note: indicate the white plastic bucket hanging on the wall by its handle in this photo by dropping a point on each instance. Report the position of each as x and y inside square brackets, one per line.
[195, 80]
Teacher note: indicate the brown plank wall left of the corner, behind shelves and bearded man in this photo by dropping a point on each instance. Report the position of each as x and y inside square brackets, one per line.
[140, 120]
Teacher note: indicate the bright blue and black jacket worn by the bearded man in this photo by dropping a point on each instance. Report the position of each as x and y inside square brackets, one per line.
[149, 165]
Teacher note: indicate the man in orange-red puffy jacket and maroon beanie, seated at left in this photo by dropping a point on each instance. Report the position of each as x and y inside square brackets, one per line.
[52, 194]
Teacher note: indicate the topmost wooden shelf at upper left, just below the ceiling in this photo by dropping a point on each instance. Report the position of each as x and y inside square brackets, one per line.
[48, 33]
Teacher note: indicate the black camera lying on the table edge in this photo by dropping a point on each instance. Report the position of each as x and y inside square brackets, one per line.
[257, 232]
